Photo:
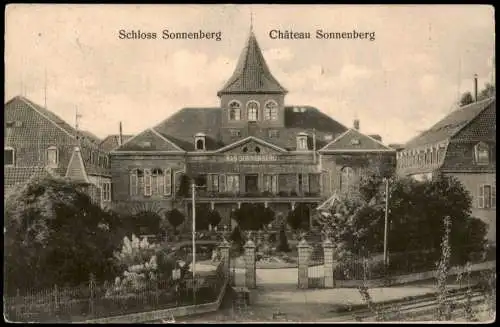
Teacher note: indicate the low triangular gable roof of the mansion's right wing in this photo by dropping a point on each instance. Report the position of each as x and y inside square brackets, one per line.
[354, 141]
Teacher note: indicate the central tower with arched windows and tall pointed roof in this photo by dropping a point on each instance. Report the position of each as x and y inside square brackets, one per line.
[252, 95]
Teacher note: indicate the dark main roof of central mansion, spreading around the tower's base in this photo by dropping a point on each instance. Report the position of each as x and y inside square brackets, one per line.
[181, 128]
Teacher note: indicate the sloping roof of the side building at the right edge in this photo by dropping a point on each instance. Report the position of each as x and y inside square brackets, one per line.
[450, 125]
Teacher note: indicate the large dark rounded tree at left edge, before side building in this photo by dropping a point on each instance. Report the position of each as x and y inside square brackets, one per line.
[55, 234]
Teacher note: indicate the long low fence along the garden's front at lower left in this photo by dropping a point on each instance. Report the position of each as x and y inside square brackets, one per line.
[72, 304]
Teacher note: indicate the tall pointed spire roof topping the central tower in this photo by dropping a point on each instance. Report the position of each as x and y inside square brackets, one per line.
[252, 75]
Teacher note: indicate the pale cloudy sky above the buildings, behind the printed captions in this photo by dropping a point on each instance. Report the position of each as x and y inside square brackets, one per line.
[398, 85]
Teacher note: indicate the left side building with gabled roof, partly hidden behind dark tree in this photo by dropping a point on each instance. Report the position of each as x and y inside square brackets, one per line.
[36, 141]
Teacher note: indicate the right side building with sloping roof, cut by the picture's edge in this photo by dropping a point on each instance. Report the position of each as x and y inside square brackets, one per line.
[463, 145]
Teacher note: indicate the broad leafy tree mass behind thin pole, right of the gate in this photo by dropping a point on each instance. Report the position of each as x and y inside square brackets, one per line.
[416, 211]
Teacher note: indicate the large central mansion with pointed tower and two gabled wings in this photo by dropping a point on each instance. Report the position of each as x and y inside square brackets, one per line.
[253, 148]
